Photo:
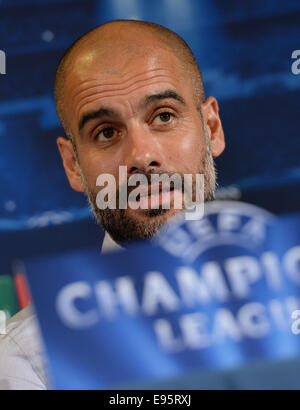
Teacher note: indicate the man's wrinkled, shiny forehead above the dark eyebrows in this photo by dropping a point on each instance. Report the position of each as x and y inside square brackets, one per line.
[121, 72]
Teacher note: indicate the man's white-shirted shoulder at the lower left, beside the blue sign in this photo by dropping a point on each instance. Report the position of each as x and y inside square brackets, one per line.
[22, 363]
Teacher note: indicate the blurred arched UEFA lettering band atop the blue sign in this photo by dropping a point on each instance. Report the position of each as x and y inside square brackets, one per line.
[225, 223]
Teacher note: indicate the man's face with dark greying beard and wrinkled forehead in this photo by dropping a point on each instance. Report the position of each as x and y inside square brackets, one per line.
[138, 112]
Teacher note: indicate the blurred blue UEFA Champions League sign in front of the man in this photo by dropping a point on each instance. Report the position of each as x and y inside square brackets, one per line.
[207, 295]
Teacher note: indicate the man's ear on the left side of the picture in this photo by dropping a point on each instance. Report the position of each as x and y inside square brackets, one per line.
[70, 164]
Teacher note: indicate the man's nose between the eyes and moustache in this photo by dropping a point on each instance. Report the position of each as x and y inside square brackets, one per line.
[144, 152]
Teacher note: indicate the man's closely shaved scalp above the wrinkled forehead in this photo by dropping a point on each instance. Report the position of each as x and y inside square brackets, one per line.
[116, 41]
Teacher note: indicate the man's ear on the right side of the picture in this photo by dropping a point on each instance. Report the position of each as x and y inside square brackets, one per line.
[210, 110]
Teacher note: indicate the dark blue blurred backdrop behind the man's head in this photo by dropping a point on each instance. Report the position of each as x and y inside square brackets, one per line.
[244, 50]
